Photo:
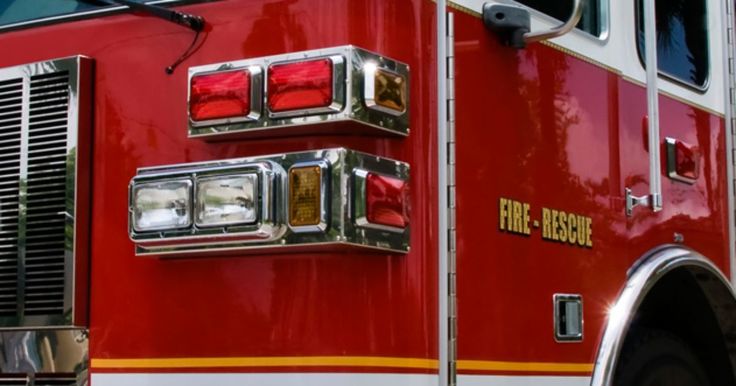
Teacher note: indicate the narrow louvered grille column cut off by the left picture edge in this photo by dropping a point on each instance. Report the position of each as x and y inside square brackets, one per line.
[11, 115]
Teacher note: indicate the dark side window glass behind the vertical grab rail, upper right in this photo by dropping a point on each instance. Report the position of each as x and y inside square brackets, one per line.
[682, 39]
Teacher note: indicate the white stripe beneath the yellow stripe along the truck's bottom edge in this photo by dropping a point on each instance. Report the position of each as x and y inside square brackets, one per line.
[317, 379]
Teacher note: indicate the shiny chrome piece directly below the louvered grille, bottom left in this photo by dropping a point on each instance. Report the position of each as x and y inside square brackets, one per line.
[55, 353]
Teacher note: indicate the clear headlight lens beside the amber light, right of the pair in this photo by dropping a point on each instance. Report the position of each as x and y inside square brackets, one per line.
[227, 200]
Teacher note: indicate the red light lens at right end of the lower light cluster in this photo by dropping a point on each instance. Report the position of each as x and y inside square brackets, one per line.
[387, 201]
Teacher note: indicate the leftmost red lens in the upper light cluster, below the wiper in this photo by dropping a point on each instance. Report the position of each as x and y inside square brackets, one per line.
[221, 95]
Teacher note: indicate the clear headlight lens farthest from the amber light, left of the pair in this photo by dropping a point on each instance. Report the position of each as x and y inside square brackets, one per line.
[162, 205]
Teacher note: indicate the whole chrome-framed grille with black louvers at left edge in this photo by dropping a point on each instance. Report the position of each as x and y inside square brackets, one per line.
[39, 130]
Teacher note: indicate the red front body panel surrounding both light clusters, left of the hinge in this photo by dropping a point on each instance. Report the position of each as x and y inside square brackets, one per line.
[355, 304]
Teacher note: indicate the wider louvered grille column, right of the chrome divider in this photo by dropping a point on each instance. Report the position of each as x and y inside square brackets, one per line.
[46, 194]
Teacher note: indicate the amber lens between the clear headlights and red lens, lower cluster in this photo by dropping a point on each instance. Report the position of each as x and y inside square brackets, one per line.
[305, 196]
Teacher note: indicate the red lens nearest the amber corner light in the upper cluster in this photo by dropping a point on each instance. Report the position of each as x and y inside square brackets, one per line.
[299, 86]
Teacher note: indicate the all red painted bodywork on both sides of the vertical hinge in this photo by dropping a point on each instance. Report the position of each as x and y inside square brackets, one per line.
[537, 126]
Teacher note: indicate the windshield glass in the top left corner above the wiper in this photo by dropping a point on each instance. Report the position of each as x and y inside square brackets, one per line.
[16, 11]
